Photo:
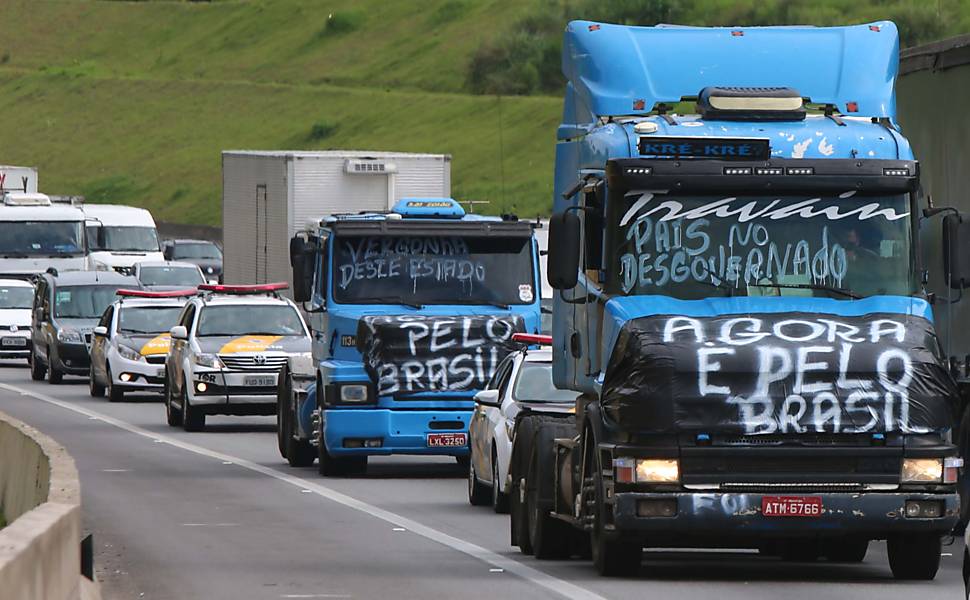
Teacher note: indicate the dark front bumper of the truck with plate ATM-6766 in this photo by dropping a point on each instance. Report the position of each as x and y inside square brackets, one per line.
[737, 516]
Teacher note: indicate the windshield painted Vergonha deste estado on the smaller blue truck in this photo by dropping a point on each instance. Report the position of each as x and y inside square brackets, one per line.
[433, 270]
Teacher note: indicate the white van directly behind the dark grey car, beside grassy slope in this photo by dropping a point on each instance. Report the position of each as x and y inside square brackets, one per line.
[120, 236]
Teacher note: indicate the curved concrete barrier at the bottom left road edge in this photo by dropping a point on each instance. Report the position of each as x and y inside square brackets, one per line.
[40, 498]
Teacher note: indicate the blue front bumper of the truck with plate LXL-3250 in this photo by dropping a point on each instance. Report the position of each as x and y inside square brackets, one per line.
[399, 432]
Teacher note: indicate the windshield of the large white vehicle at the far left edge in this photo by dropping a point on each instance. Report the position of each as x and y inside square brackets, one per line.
[22, 239]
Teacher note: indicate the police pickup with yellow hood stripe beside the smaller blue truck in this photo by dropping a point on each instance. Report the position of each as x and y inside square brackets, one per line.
[227, 350]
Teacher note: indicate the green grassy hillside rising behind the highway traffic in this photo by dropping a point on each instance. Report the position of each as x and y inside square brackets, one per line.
[132, 102]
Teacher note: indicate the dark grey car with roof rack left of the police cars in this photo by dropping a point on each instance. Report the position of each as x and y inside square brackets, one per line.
[65, 311]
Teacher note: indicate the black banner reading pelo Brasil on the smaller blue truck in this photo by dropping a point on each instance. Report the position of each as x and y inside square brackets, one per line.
[409, 354]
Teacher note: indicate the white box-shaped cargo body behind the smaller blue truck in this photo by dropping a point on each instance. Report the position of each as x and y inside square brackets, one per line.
[267, 196]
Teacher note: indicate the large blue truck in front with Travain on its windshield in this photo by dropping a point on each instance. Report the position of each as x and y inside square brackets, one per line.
[740, 301]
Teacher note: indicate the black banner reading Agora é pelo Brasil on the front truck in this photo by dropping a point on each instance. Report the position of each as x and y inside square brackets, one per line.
[780, 373]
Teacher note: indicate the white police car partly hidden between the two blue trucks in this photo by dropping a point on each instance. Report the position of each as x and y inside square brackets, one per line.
[522, 383]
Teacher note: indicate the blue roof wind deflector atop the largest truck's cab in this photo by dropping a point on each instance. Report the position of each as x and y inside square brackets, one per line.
[621, 70]
